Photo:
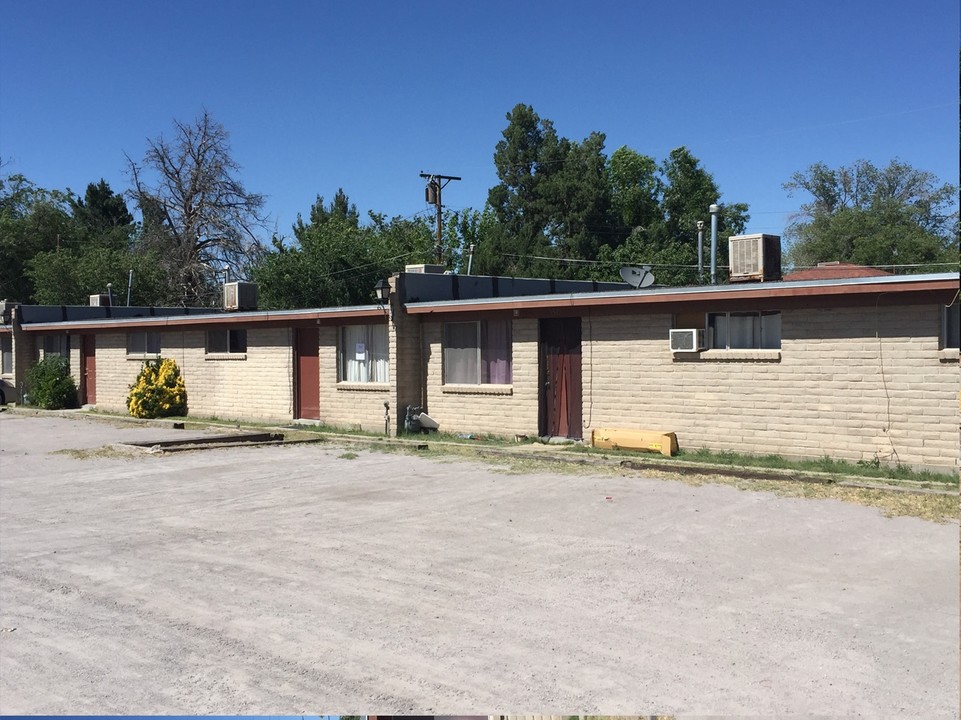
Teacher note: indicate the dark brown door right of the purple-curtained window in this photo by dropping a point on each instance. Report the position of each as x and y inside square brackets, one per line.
[560, 372]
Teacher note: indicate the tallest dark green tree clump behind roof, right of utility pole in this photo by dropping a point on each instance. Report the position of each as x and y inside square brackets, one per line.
[564, 209]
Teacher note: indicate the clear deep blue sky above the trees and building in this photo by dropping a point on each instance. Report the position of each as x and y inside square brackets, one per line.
[365, 95]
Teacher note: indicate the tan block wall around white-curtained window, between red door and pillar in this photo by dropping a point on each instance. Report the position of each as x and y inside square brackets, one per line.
[350, 405]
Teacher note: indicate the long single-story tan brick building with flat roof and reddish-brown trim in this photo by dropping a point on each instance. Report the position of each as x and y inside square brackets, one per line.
[857, 368]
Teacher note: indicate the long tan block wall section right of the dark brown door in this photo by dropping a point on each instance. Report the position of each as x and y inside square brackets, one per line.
[836, 389]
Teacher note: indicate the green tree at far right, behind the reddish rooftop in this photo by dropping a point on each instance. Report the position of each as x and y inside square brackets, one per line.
[863, 214]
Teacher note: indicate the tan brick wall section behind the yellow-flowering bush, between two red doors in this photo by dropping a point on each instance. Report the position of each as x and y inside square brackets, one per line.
[258, 387]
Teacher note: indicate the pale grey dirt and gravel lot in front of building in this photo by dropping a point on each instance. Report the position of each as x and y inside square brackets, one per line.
[313, 579]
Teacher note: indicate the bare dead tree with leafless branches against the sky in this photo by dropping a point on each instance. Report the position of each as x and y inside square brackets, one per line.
[197, 214]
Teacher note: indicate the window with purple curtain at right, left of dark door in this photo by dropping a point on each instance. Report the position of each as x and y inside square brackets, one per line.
[478, 353]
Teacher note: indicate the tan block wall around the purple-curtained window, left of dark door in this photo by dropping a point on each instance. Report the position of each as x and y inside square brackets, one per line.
[496, 409]
